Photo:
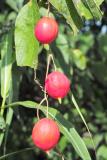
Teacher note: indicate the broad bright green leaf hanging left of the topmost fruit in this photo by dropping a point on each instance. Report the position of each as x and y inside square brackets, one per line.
[27, 47]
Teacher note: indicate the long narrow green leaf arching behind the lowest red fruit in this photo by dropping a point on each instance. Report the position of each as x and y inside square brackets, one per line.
[65, 127]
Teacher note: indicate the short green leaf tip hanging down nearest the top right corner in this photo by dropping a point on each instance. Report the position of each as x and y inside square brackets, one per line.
[94, 8]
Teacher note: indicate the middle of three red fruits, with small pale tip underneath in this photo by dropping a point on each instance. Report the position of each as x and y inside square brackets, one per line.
[57, 85]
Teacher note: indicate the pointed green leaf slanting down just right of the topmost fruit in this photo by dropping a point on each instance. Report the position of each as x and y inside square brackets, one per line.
[62, 8]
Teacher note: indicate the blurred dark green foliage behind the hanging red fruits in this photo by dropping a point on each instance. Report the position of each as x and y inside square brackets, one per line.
[83, 58]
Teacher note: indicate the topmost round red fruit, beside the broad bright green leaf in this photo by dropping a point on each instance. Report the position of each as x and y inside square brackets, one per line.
[46, 30]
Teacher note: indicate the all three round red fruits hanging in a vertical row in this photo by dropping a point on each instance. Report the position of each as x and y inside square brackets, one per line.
[45, 133]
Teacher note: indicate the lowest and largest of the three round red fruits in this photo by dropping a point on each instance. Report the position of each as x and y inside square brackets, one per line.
[45, 134]
